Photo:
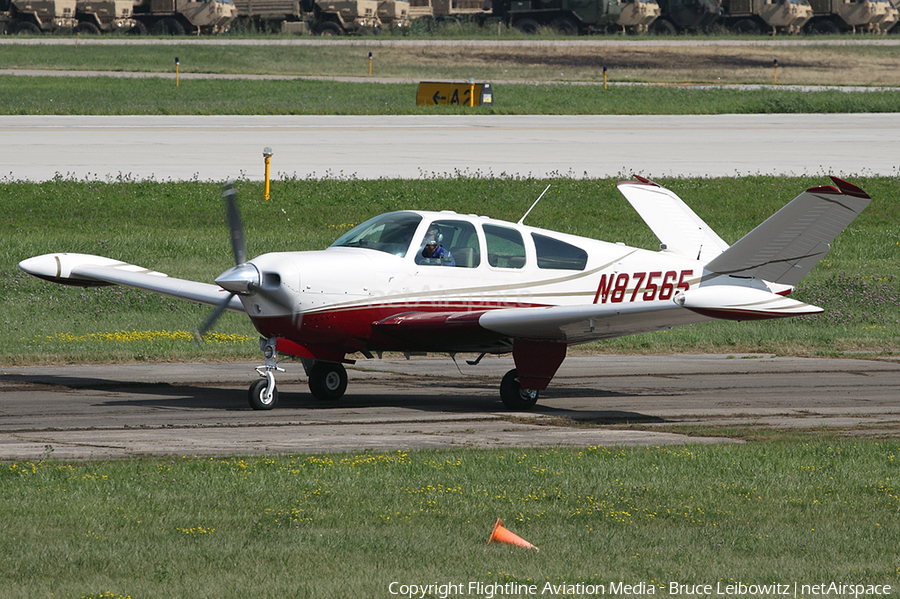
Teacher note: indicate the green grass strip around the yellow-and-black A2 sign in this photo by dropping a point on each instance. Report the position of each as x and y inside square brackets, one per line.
[155, 96]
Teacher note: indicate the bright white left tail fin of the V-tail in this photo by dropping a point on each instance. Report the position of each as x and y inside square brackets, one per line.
[676, 226]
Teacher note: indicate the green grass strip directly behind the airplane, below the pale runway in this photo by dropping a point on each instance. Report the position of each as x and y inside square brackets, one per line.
[178, 228]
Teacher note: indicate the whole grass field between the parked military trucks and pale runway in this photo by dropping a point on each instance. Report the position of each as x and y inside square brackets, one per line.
[536, 79]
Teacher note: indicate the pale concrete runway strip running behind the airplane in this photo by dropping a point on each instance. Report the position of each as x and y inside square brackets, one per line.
[215, 148]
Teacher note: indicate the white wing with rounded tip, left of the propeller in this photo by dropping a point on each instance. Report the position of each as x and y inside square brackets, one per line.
[85, 270]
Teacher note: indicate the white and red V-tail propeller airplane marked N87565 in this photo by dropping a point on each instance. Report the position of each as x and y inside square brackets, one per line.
[415, 281]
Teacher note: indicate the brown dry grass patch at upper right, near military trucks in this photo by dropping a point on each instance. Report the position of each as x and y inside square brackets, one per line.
[797, 64]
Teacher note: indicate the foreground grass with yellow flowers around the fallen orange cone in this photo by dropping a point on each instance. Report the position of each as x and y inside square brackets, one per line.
[807, 510]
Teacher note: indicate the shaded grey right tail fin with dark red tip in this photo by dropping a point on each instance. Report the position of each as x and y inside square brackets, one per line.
[785, 247]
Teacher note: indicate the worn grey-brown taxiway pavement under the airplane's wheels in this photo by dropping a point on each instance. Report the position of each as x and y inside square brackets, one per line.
[85, 412]
